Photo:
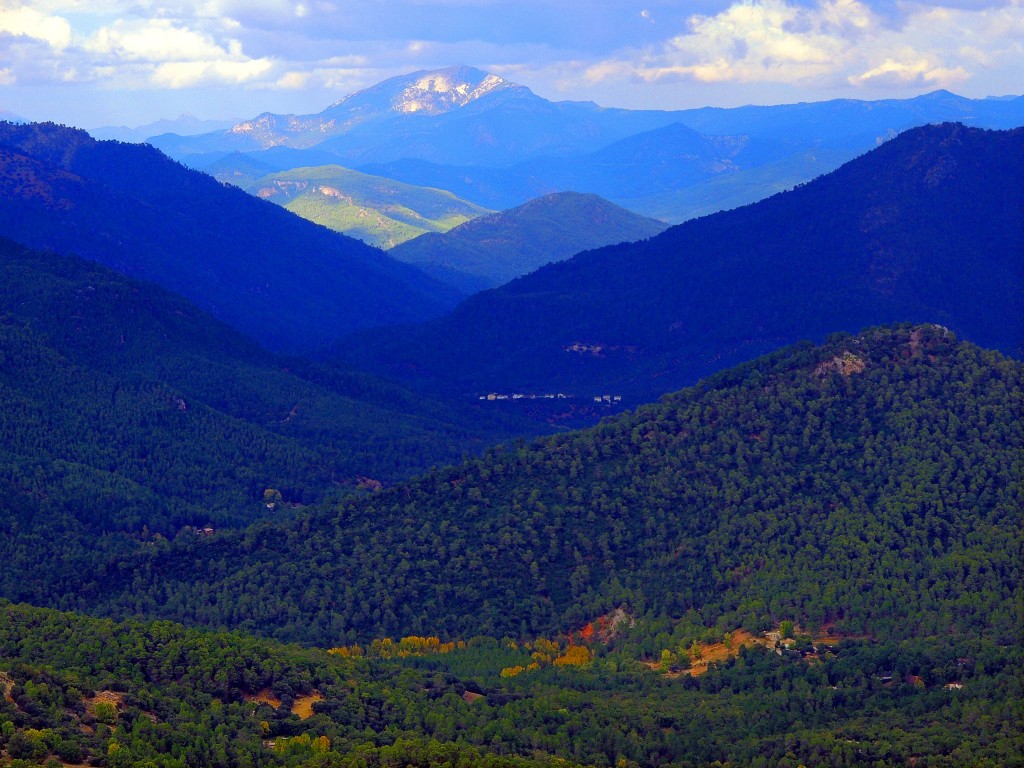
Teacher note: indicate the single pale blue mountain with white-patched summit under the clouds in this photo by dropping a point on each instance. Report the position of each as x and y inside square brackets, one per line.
[458, 115]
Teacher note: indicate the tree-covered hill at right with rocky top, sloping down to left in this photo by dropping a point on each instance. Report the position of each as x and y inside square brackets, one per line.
[873, 484]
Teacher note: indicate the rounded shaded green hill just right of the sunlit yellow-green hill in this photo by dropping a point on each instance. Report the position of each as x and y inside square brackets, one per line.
[495, 249]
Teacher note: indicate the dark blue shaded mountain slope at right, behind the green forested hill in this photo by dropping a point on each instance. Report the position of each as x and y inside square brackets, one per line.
[928, 227]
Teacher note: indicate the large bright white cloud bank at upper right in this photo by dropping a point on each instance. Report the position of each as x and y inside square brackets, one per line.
[834, 44]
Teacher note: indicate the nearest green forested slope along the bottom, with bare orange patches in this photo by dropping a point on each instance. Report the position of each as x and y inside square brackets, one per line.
[91, 692]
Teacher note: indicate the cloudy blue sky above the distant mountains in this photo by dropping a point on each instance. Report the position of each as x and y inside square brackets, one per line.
[104, 63]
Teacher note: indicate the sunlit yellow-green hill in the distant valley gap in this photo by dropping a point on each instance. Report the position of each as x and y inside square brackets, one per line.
[379, 211]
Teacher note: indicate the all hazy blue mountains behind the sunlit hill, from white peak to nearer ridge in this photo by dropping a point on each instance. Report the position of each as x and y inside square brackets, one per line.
[498, 145]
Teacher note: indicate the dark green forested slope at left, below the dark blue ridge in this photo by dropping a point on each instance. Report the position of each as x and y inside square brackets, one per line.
[125, 410]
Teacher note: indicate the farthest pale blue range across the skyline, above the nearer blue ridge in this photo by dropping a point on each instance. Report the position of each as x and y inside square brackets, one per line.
[465, 116]
